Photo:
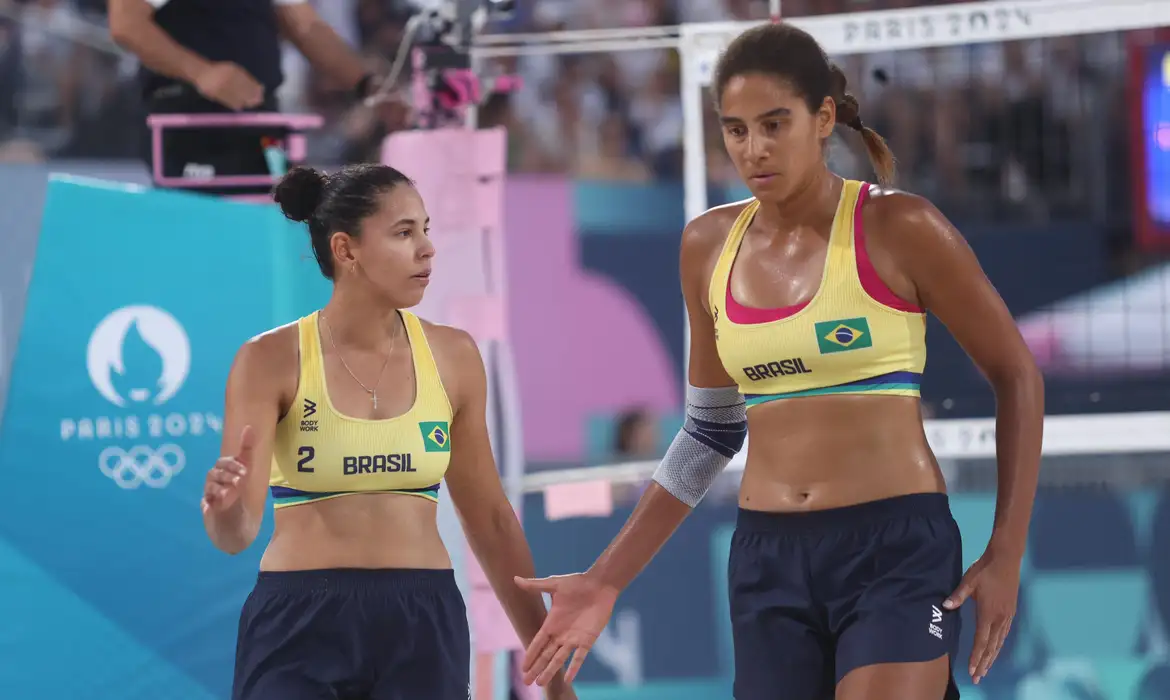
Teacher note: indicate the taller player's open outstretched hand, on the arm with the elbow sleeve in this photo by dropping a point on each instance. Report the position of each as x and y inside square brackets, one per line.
[581, 610]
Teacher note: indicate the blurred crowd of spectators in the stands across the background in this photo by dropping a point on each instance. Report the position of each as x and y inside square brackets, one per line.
[1014, 131]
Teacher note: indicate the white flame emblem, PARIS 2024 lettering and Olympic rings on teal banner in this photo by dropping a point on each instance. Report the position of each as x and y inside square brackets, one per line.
[139, 360]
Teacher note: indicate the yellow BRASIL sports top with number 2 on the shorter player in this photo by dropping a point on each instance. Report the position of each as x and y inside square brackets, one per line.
[322, 455]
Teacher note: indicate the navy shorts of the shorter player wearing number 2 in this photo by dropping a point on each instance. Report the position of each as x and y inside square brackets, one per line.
[354, 635]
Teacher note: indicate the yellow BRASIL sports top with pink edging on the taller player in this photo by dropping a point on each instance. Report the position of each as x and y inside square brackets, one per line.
[855, 337]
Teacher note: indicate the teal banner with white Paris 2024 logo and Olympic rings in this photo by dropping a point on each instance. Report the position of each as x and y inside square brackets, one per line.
[137, 305]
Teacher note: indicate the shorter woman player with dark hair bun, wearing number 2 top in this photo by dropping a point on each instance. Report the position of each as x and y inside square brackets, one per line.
[354, 416]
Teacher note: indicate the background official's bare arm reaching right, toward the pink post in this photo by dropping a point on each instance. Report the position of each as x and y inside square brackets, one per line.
[326, 51]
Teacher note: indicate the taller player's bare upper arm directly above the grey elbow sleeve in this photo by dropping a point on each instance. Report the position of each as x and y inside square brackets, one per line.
[705, 368]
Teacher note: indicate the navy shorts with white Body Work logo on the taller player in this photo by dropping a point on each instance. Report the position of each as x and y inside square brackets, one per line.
[816, 595]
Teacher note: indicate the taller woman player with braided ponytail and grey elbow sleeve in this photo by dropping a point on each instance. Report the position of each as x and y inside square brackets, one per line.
[808, 317]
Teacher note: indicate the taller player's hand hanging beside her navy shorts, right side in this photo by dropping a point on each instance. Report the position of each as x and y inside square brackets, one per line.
[994, 584]
